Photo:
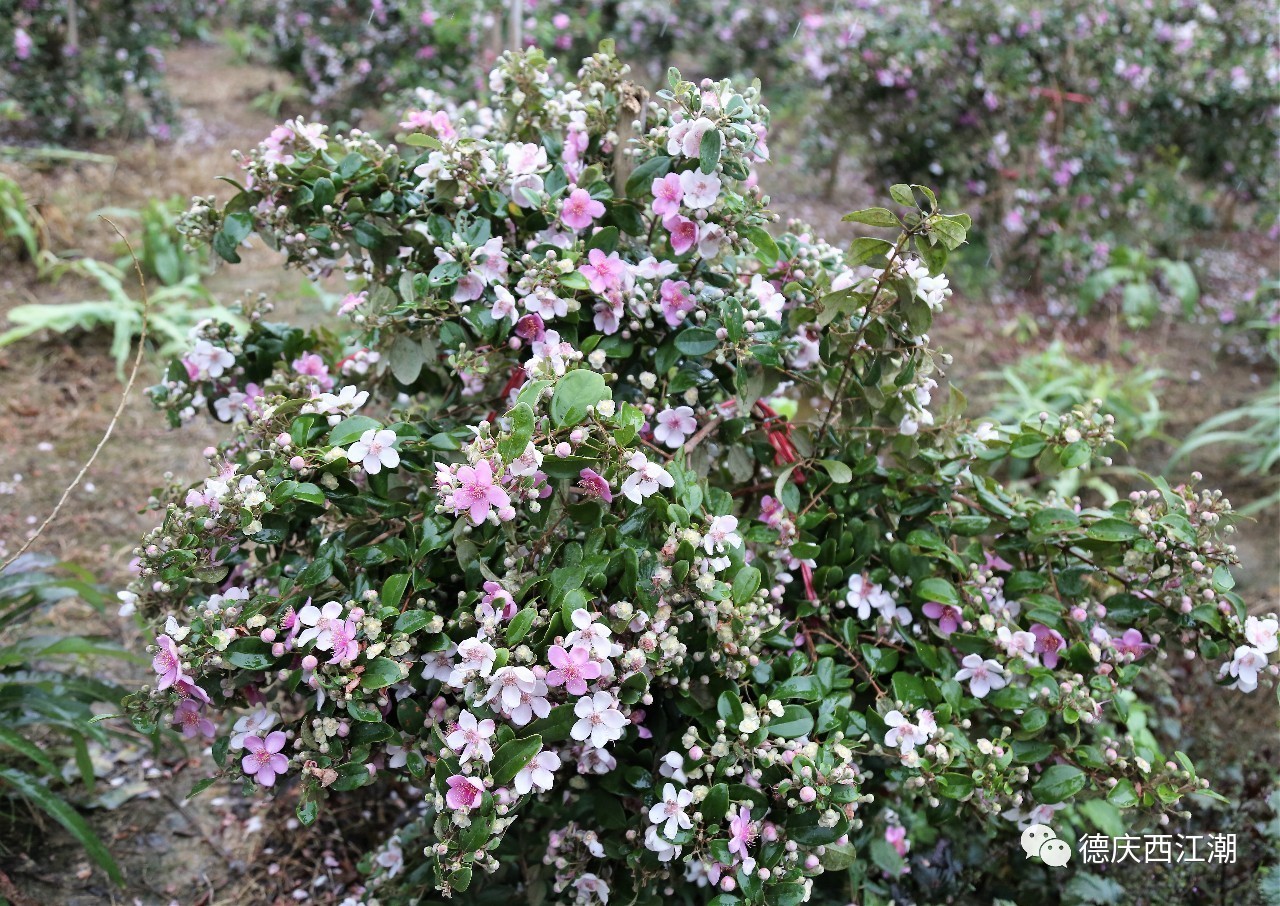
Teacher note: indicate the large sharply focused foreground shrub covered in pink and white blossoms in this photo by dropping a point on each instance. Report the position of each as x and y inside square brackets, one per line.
[624, 527]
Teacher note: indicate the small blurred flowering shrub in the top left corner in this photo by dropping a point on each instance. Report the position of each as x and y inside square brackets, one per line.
[77, 70]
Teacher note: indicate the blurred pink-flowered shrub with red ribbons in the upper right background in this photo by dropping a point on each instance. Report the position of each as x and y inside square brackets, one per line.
[1075, 127]
